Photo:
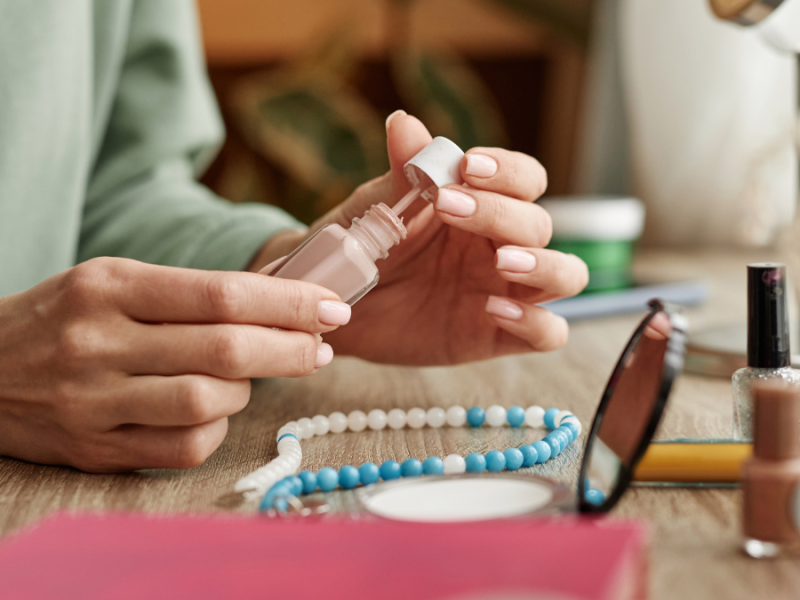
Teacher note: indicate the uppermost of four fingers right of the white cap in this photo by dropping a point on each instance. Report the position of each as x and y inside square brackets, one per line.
[505, 172]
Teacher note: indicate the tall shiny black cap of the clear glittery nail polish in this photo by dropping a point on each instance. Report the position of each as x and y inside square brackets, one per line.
[767, 317]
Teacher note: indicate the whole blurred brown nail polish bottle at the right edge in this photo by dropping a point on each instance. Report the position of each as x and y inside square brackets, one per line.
[771, 477]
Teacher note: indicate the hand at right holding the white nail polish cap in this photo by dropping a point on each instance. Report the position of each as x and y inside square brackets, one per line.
[466, 283]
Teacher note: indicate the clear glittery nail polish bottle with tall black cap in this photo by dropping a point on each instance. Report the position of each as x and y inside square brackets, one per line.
[768, 355]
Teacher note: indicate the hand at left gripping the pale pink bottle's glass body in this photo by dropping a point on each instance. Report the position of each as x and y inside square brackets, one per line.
[116, 365]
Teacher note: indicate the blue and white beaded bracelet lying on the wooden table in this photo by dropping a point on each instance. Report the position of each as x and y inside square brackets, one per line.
[279, 473]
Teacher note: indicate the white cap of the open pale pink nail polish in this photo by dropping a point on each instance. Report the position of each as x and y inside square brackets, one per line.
[436, 165]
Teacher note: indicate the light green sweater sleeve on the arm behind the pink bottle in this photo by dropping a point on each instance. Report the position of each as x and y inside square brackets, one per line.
[163, 126]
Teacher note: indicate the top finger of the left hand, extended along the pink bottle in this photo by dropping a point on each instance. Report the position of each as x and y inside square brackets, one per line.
[157, 294]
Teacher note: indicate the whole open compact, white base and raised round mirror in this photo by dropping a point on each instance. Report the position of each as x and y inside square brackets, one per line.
[626, 419]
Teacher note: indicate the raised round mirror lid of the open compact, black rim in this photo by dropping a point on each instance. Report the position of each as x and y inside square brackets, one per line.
[631, 407]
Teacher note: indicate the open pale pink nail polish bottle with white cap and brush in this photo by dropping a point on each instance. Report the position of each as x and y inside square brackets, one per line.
[343, 260]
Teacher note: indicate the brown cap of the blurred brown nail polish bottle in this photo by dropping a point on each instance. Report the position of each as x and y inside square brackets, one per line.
[776, 420]
